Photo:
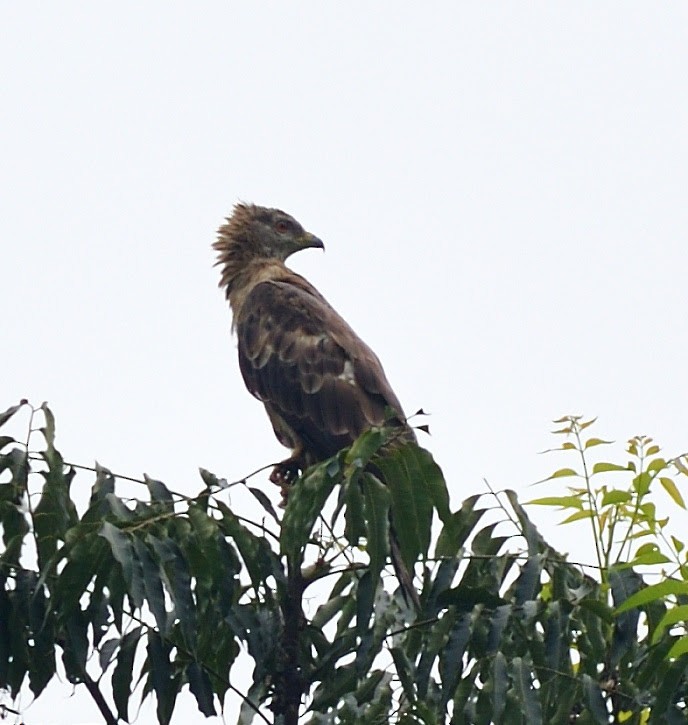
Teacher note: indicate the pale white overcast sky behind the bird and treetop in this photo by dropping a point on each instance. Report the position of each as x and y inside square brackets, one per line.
[501, 188]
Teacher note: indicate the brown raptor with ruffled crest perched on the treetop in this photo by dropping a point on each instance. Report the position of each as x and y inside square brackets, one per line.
[321, 385]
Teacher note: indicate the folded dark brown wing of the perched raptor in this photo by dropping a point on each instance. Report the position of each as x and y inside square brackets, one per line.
[310, 369]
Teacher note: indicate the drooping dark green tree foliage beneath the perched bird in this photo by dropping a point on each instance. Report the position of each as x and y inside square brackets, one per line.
[165, 593]
